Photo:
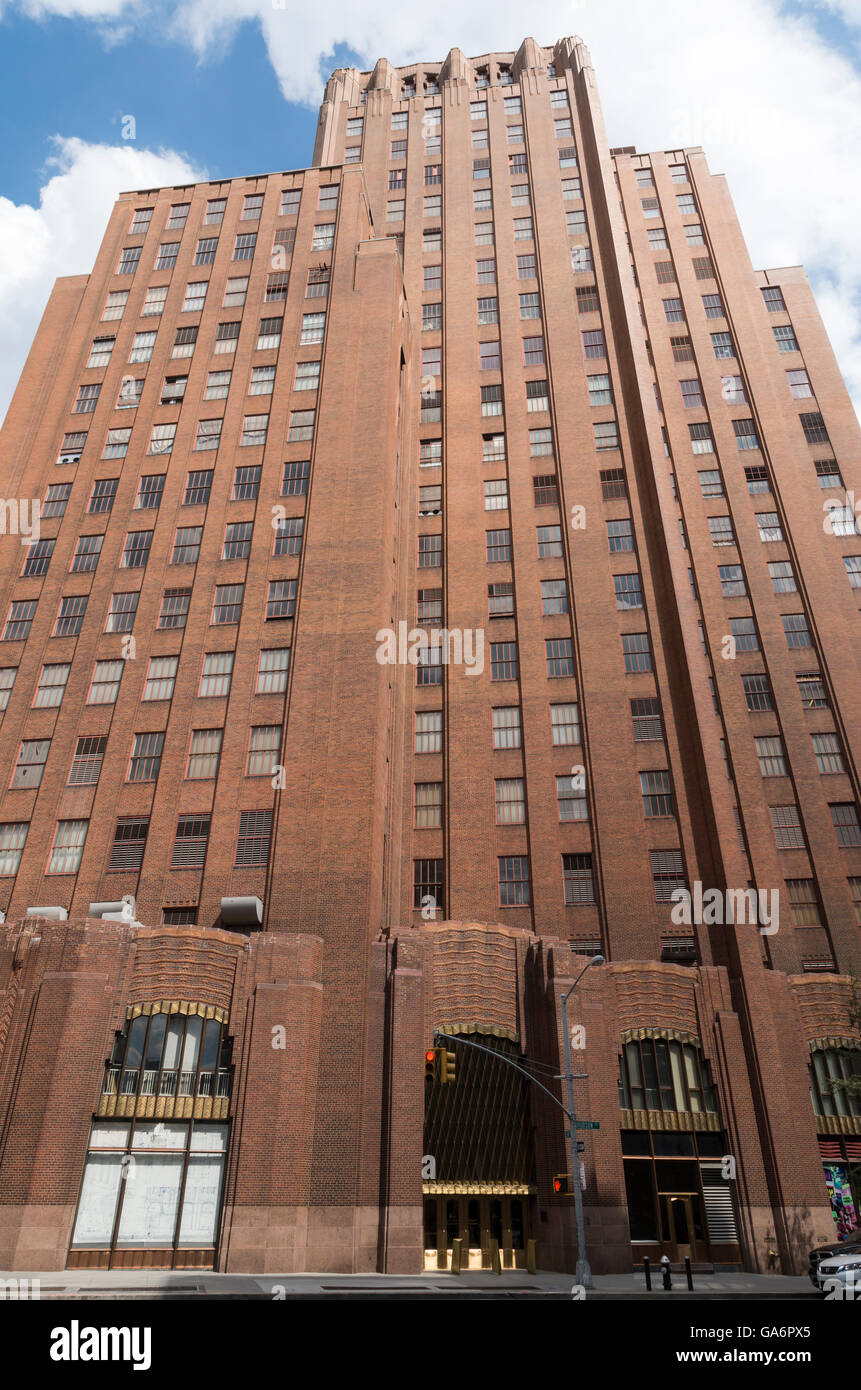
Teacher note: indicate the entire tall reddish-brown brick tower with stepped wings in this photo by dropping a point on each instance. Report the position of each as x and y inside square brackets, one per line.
[446, 554]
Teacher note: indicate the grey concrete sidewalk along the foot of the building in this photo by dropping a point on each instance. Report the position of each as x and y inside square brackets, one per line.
[173, 1285]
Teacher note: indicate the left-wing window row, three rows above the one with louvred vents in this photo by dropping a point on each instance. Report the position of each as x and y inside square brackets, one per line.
[227, 608]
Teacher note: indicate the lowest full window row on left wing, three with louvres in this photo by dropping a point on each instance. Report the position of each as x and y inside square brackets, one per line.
[130, 844]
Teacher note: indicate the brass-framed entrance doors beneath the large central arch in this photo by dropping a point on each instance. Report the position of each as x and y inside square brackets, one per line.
[476, 1221]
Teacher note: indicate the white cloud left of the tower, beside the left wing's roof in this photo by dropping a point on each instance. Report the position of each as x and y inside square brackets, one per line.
[62, 236]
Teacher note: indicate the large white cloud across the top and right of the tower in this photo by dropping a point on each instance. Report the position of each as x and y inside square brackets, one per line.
[774, 105]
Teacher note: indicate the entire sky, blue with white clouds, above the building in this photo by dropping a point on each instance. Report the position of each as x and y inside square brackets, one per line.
[222, 88]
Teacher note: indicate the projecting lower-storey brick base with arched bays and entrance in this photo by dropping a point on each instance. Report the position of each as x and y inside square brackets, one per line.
[122, 1146]
